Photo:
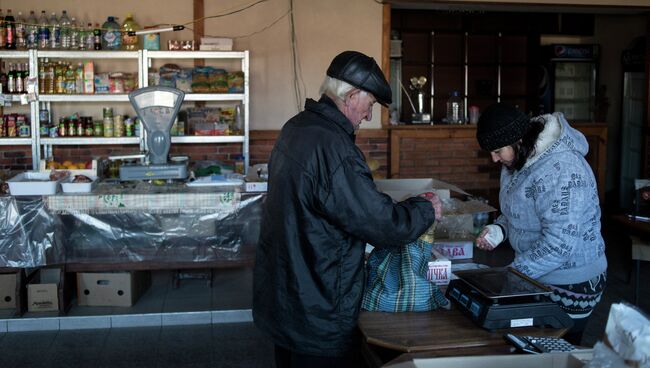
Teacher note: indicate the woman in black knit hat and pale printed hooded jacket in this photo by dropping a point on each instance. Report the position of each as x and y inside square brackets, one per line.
[549, 207]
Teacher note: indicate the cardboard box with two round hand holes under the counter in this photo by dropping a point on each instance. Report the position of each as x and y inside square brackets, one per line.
[111, 289]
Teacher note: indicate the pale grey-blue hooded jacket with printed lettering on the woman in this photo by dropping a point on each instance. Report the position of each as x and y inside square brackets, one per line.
[550, 209]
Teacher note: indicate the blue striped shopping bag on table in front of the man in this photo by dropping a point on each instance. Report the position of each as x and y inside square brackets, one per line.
[397, 280]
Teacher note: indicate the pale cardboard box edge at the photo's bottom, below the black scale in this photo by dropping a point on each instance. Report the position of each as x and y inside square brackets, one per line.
[549, 360]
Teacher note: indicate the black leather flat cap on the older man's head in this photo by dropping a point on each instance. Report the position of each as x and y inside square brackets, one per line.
[362, 72]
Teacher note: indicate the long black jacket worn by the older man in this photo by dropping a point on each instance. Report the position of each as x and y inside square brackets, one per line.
[321, 210]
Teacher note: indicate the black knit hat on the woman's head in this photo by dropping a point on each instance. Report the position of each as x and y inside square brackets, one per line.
[501, 125]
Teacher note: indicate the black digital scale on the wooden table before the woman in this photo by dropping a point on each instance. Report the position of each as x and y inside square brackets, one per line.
[498, 298]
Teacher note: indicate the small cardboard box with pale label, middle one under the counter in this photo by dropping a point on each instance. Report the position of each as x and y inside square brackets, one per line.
[43, 290]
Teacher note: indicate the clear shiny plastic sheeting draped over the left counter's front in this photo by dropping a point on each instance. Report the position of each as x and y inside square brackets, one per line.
[33, 236]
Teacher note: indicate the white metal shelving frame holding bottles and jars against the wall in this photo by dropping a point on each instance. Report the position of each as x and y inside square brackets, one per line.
[42, 146]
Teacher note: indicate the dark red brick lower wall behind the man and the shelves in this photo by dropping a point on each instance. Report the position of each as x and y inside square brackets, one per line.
[458, 161]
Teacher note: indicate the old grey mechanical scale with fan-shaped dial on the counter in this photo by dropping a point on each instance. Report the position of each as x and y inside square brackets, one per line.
[157, 107]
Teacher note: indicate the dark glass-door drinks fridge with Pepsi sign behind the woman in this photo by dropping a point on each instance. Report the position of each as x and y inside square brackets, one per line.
[571, 83]
